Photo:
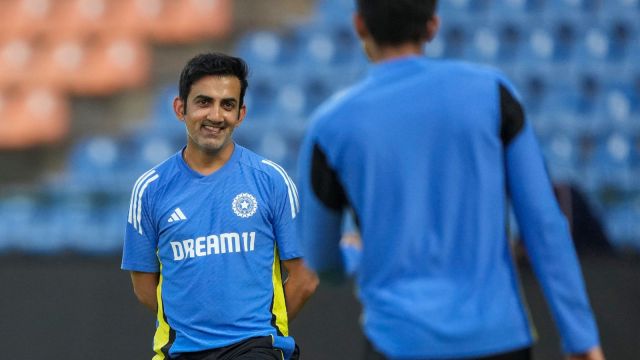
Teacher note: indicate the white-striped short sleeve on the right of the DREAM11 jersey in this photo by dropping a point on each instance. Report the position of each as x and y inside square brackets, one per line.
[286, 208]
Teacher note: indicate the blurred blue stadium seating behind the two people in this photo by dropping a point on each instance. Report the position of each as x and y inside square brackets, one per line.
[574, 62]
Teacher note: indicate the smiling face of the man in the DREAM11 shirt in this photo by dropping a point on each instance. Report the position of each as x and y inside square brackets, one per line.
[212, 112]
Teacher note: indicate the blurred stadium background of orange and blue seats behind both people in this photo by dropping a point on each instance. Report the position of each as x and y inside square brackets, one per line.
[85, 108]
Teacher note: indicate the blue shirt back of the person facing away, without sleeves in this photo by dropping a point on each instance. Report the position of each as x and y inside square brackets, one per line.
[423, 166]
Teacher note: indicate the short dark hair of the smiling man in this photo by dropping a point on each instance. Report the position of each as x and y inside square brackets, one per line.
[216, 64]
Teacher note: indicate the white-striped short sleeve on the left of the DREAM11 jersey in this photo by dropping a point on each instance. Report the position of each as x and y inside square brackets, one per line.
[141, 241]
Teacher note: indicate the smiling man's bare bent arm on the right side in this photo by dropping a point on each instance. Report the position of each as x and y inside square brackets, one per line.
[301, 283]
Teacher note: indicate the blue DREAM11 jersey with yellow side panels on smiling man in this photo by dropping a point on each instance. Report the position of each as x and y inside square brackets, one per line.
[217, 242]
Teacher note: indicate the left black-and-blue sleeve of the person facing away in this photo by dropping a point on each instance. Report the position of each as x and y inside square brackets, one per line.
[323, 200]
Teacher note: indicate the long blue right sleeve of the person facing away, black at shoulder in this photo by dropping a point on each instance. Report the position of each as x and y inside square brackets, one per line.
[545, 231]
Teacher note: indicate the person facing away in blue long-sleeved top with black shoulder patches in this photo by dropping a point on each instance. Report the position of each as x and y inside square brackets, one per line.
[426, 152]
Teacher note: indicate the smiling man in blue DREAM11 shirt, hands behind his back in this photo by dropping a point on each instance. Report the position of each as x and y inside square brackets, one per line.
[208, 229]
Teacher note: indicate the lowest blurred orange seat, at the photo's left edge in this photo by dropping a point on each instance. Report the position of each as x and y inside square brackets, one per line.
[31, 117]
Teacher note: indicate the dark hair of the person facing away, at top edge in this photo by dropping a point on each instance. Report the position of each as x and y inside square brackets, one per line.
[394, 22]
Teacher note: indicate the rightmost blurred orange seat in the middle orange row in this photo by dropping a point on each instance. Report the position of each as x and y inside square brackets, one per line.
[113, 62]
